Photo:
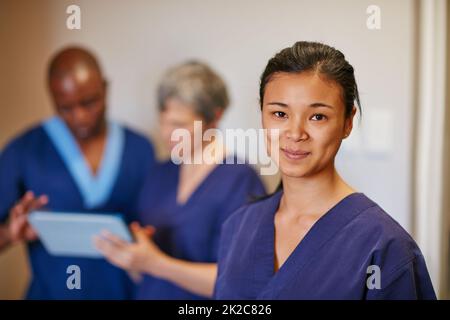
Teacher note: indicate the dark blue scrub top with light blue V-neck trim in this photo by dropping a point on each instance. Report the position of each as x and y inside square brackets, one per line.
[33, 162]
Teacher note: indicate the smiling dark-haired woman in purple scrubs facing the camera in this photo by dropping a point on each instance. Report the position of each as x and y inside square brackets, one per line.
[317, 237]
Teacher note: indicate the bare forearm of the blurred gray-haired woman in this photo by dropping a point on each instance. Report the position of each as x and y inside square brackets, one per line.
[196, 277]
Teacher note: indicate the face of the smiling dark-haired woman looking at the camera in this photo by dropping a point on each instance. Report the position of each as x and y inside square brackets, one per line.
[309, 112]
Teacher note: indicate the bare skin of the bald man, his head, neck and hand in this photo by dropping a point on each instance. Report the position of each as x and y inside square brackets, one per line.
[78, 90]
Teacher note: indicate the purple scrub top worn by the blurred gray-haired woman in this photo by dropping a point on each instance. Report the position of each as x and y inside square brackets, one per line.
[191, 231]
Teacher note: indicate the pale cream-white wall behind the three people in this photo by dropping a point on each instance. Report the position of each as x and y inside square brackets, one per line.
[137, 40]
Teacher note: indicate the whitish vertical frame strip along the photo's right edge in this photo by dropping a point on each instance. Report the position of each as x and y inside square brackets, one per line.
[430, 137]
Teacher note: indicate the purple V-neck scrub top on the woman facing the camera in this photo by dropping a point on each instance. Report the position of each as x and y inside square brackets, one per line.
[333, 261]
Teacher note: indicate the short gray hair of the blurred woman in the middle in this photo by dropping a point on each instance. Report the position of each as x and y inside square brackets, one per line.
[196, 84]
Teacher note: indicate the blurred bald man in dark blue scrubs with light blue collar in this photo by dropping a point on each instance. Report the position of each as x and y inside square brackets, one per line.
[76, 161]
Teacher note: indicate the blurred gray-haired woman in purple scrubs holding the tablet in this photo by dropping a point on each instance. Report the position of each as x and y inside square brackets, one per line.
[185, 203]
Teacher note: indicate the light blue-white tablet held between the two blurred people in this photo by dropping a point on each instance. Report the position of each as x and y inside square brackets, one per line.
[71, 234]
